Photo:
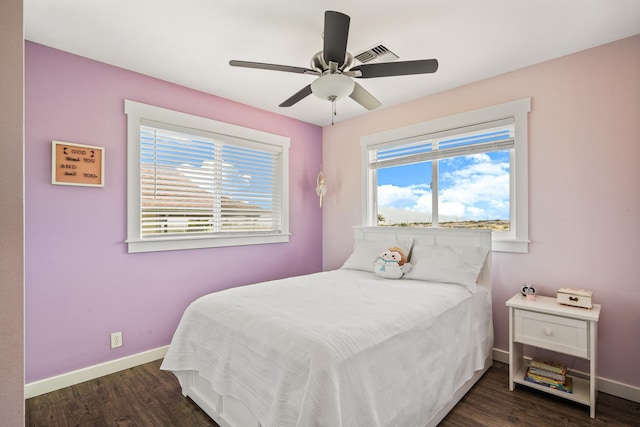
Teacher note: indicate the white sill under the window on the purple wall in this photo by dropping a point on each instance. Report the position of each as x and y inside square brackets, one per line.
[172, 244]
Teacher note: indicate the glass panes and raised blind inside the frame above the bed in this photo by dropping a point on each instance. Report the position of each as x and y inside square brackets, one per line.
[457, 178]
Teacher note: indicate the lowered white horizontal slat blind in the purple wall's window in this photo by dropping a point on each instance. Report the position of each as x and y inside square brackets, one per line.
[194, 183]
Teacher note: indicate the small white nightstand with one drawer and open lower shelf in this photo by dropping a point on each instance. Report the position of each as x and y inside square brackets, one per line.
[546, 324]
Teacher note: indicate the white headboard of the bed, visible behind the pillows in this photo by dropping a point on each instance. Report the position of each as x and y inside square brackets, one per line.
[436, 237]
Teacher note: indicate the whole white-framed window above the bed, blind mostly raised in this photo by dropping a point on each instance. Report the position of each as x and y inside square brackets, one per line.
[467, 170]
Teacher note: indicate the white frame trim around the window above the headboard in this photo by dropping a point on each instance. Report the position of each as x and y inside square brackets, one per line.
[514, 240]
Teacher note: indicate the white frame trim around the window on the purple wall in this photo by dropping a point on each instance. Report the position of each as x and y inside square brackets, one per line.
[137, 113]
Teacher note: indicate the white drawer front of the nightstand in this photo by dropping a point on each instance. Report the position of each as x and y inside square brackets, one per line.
[552, 332]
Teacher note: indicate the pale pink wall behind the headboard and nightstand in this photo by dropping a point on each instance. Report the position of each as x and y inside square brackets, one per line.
[584, 187]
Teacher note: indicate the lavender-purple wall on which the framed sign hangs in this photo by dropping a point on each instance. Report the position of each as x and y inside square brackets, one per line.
[81, 284]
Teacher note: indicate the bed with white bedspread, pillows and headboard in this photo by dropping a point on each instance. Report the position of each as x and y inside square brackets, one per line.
[345, 347]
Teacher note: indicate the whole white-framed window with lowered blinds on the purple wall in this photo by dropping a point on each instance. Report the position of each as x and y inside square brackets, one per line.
[197, 183]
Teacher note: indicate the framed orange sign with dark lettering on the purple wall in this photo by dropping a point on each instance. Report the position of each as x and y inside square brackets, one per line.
[77, 164]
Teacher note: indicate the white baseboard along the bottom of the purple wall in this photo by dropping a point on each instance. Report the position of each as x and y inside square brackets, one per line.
[92, 372]
